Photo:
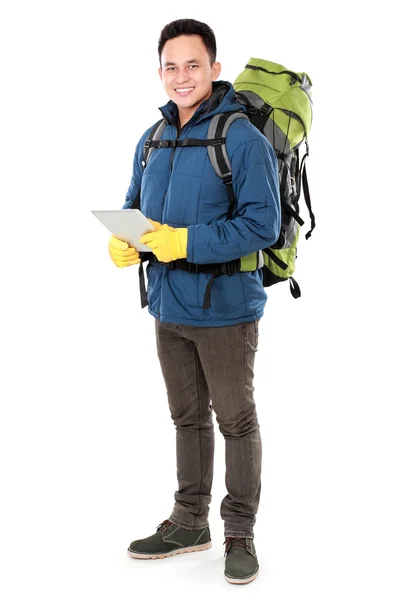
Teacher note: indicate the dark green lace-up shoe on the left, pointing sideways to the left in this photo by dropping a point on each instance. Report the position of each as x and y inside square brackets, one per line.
[170, 540]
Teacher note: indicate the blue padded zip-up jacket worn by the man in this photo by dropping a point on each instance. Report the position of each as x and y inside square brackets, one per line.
[179, 186]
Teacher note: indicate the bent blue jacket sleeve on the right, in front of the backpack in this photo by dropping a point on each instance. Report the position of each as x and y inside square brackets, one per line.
[258, 219]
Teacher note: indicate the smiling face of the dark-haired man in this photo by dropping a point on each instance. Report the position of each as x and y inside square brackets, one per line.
[187, 74]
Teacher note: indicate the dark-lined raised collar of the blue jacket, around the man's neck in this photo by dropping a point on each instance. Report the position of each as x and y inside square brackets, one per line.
[221, 100]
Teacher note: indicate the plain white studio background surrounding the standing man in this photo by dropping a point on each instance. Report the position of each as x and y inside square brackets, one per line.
[86, 442]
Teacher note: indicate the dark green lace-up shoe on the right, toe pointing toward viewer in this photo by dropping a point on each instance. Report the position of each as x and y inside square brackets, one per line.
[241, 564]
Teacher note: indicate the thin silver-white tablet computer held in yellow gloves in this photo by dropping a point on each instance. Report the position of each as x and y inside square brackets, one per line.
[127, 224]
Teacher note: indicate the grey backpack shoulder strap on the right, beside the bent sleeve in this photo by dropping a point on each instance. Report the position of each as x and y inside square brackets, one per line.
[218, 154]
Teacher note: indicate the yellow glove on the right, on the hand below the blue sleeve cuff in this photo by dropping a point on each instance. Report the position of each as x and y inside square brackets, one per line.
[167, 243]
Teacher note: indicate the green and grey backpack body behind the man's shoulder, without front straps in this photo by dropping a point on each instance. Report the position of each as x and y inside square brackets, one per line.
[279, 104]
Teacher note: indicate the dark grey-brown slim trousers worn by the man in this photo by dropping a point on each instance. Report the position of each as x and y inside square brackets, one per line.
[206, 369]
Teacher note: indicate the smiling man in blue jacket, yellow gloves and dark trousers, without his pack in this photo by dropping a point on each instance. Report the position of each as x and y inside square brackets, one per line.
[205, 353]
